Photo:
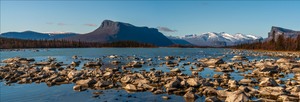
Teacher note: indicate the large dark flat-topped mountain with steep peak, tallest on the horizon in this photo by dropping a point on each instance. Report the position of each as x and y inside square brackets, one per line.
[111, 31]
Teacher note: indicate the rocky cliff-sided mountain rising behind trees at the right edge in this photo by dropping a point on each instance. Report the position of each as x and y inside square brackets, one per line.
[287, 33]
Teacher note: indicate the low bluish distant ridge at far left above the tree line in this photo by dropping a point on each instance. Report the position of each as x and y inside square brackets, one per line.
[31, 35]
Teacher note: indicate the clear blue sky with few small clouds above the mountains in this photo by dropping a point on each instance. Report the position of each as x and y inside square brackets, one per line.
[177, 18]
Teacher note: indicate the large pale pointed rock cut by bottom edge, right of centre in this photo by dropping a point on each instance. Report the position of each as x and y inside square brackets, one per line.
[237, 96]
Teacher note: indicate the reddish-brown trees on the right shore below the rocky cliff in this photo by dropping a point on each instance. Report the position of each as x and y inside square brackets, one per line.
[280, 43]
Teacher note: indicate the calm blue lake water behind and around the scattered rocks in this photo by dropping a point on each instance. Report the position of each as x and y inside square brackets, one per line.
[41, 92]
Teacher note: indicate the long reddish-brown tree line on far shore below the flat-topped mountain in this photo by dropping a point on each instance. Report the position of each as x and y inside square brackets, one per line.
[10, 43]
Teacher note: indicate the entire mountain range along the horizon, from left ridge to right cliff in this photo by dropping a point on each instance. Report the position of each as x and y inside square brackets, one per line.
[112, 31]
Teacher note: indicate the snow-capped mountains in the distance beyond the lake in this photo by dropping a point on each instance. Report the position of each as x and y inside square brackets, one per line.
[220, 39]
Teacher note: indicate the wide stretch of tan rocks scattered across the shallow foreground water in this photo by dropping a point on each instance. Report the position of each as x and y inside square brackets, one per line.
[263, 83]
